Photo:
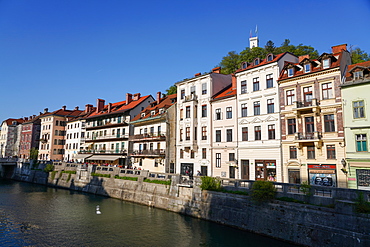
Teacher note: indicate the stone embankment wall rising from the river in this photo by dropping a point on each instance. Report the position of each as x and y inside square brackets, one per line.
[299, 223]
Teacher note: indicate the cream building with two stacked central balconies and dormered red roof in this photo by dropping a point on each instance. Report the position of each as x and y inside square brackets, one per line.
[312, 119]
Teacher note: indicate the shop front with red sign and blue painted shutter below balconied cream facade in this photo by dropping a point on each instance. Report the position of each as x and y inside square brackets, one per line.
[322, 175]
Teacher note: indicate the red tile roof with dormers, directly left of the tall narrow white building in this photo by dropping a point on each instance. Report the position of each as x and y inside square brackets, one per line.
[164, 103]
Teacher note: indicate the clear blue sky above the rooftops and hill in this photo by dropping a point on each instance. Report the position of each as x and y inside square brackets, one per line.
[71, 52]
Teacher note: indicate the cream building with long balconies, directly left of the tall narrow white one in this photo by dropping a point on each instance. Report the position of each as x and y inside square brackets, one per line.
[153, 145]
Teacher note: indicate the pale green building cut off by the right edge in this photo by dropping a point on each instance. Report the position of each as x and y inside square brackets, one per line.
[356, 100]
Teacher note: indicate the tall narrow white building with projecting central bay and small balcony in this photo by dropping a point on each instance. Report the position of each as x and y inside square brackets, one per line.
[195, 120]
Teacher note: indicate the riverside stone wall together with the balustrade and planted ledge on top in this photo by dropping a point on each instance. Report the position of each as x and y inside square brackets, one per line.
[320, 216]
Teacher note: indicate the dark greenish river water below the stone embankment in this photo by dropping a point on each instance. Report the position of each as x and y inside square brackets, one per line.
[35, 215]
